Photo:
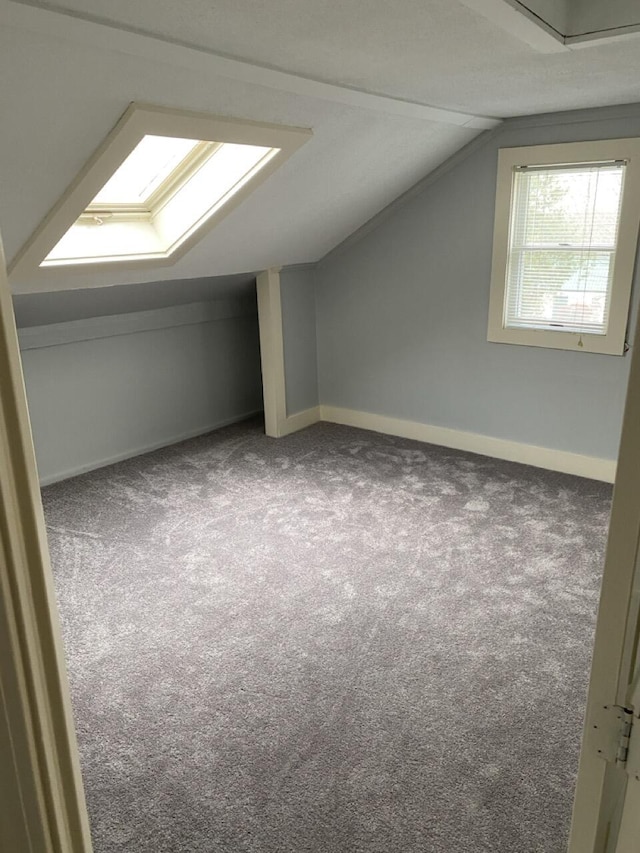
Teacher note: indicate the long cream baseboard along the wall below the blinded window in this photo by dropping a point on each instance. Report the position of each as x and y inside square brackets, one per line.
[591, 467]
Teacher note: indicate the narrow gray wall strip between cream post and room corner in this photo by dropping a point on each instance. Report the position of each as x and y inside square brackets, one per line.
[297, 294]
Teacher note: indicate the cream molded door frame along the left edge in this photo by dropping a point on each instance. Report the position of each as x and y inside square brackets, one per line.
[41, 782]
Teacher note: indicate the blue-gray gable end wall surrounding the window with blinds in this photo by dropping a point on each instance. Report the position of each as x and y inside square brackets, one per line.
[402, 315]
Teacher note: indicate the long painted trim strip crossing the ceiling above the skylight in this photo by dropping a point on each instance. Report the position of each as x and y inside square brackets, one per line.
[44, 18]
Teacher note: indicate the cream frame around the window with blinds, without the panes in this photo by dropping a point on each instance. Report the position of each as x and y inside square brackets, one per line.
[573, 153]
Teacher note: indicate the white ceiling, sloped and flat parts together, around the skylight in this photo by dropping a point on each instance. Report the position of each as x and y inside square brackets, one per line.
[66, 79]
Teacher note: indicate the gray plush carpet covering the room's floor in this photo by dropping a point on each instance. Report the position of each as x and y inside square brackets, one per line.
[336, 642]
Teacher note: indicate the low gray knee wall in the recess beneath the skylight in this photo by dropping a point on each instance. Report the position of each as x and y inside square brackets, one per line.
[97, 399]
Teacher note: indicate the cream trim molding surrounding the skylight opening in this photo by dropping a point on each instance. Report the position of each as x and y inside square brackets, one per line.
[140, 120]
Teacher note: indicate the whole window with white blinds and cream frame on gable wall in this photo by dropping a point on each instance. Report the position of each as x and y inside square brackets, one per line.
[566, 228]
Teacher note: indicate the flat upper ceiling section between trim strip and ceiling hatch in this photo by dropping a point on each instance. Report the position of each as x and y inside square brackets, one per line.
[434, 51]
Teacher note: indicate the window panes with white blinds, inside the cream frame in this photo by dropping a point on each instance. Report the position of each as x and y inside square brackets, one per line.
[562, 245]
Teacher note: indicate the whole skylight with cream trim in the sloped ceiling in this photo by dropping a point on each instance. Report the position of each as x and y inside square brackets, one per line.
[159, 180]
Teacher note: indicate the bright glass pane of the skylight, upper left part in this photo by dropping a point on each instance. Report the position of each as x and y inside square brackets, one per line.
[150, 163]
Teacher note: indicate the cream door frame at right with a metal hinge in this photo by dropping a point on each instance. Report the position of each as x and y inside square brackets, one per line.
[600, 789]
